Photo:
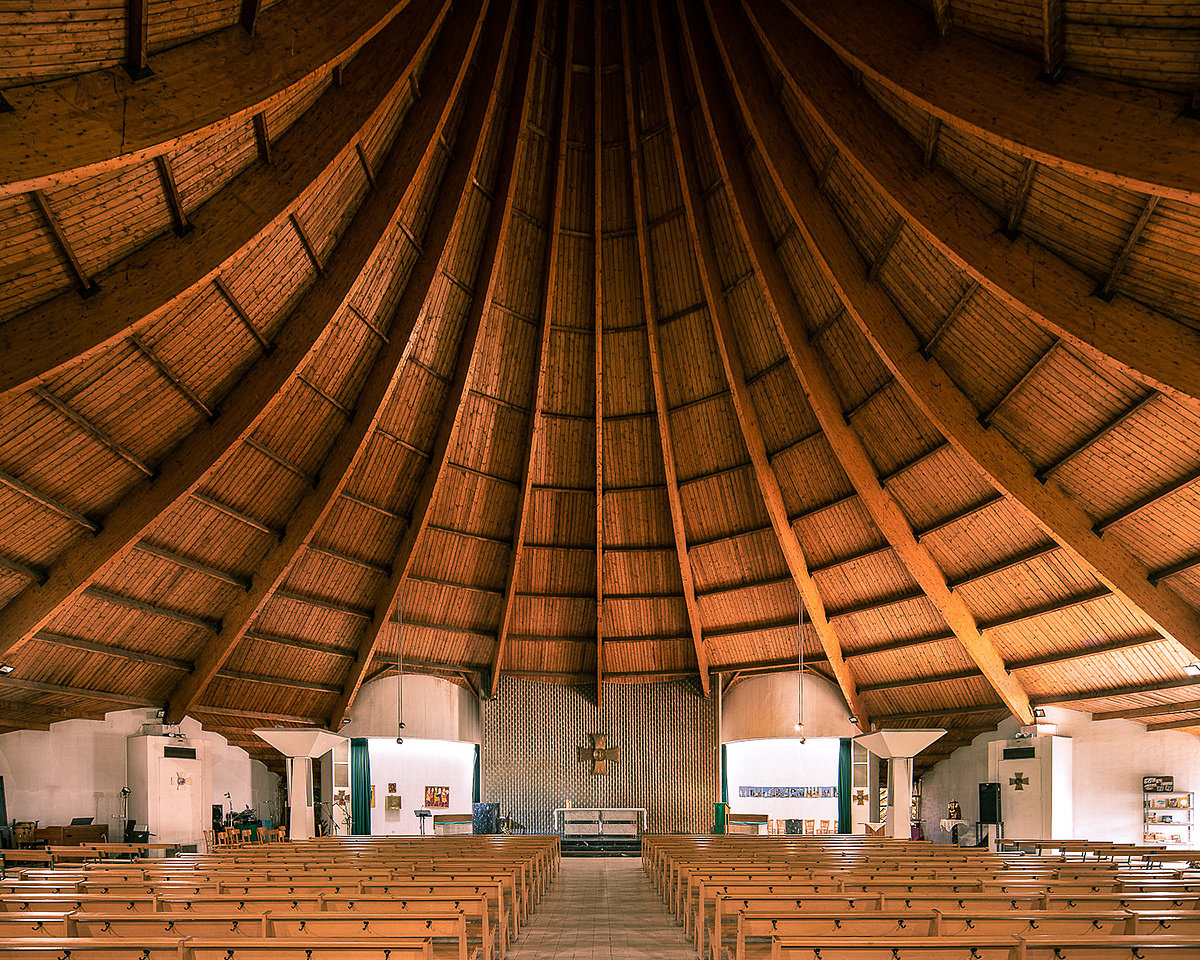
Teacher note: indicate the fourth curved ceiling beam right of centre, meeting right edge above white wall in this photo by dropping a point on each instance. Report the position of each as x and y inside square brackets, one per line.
[1005, 467]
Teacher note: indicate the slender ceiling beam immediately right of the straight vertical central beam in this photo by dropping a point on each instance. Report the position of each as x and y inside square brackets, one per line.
[655, 358]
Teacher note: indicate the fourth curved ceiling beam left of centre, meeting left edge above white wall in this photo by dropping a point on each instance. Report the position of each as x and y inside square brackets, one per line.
[211, 445]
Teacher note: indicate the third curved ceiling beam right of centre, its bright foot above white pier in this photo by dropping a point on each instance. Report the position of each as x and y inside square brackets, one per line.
[749, 218]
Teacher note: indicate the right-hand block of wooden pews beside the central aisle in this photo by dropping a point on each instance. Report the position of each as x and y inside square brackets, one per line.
[866, 898]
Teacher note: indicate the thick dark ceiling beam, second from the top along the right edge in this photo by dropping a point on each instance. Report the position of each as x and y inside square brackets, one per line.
[1027, 278]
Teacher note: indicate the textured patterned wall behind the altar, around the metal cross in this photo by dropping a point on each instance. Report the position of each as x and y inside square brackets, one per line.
[665, 730]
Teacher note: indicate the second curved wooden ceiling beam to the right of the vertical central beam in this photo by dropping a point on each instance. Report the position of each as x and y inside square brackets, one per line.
[731, 362]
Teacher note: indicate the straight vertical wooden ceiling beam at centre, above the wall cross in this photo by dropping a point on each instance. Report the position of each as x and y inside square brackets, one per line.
[598, 328]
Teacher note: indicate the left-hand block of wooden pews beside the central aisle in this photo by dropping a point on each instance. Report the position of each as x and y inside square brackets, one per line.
[452, 898]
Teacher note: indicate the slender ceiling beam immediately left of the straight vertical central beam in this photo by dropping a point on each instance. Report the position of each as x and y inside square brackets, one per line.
[533, 449]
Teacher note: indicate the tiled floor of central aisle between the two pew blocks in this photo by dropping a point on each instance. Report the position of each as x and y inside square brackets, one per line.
[602, 908]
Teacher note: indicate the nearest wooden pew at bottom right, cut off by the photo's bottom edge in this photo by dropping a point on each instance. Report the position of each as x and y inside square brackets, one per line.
[987, 949]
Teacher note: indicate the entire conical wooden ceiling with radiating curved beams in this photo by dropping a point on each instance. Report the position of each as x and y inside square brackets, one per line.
[585, 338]
